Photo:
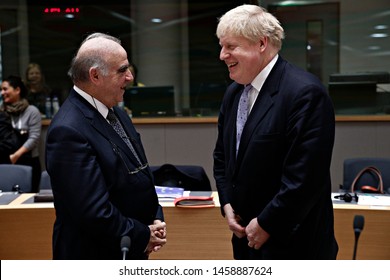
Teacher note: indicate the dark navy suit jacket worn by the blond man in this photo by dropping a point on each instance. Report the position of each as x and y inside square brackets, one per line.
[282, 171]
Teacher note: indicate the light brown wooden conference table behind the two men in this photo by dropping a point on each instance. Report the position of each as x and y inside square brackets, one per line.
[200, 234]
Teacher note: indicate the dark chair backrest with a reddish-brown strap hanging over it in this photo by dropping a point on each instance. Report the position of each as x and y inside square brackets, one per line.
[353, 166]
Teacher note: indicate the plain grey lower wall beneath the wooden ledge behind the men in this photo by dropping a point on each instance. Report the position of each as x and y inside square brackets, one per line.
[193, 144]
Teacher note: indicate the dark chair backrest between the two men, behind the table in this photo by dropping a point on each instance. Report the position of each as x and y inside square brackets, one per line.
[189, 177]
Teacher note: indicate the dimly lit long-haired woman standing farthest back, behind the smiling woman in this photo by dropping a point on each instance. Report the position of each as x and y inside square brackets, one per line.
[37, 88]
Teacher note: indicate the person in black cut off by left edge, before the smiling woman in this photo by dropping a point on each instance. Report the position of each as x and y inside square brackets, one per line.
[8, 138]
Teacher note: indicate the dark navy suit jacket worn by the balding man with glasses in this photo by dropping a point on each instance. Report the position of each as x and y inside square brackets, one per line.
[97, 201]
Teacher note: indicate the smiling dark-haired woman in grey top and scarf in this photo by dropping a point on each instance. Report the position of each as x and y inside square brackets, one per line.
[26, 120]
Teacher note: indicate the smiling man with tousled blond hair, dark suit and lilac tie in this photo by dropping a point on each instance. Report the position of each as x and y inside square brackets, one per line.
[273, 177]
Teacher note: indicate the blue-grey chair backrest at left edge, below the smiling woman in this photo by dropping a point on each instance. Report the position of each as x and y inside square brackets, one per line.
[15, 174]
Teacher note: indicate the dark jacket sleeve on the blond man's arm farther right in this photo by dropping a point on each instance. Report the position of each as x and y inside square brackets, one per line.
[305, 179]
